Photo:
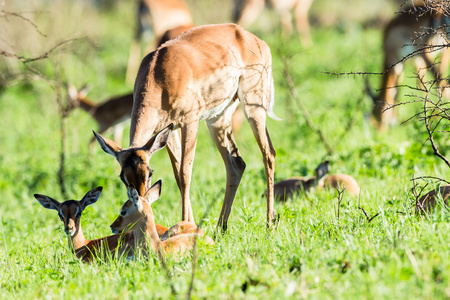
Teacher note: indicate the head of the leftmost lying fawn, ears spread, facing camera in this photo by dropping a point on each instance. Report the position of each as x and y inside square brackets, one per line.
[70, 211]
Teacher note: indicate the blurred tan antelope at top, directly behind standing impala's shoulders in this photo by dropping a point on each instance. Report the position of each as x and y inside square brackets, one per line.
[162, 15]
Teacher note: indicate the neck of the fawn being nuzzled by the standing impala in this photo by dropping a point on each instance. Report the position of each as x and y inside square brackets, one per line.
[146, 230]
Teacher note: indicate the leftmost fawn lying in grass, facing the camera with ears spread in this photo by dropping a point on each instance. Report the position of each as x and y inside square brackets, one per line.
[70, 214]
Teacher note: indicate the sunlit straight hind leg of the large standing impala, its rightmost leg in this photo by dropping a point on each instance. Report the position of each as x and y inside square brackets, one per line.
[257, 120]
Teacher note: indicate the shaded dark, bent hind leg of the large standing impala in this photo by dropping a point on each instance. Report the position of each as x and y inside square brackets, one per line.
[220, 129]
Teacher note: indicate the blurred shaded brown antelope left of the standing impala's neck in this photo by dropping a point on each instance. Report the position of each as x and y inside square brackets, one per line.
[108, 114]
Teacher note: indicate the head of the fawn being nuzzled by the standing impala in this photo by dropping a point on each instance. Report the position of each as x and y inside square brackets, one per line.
[135, 208]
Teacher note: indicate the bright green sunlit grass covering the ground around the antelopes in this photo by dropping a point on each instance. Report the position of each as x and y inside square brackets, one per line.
[314, 253]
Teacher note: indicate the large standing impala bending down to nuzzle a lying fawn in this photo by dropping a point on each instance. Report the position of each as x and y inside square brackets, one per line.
[199, 76]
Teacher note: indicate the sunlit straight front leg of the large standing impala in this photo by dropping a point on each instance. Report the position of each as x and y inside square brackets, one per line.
[189, 141]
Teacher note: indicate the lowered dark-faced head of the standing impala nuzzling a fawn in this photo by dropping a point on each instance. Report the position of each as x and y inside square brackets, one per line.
[135, 161]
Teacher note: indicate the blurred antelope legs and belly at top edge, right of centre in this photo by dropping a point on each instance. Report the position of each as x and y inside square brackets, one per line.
[247, 11]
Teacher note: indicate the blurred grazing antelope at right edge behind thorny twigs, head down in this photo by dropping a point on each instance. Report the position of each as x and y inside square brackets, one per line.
[406, 34]
